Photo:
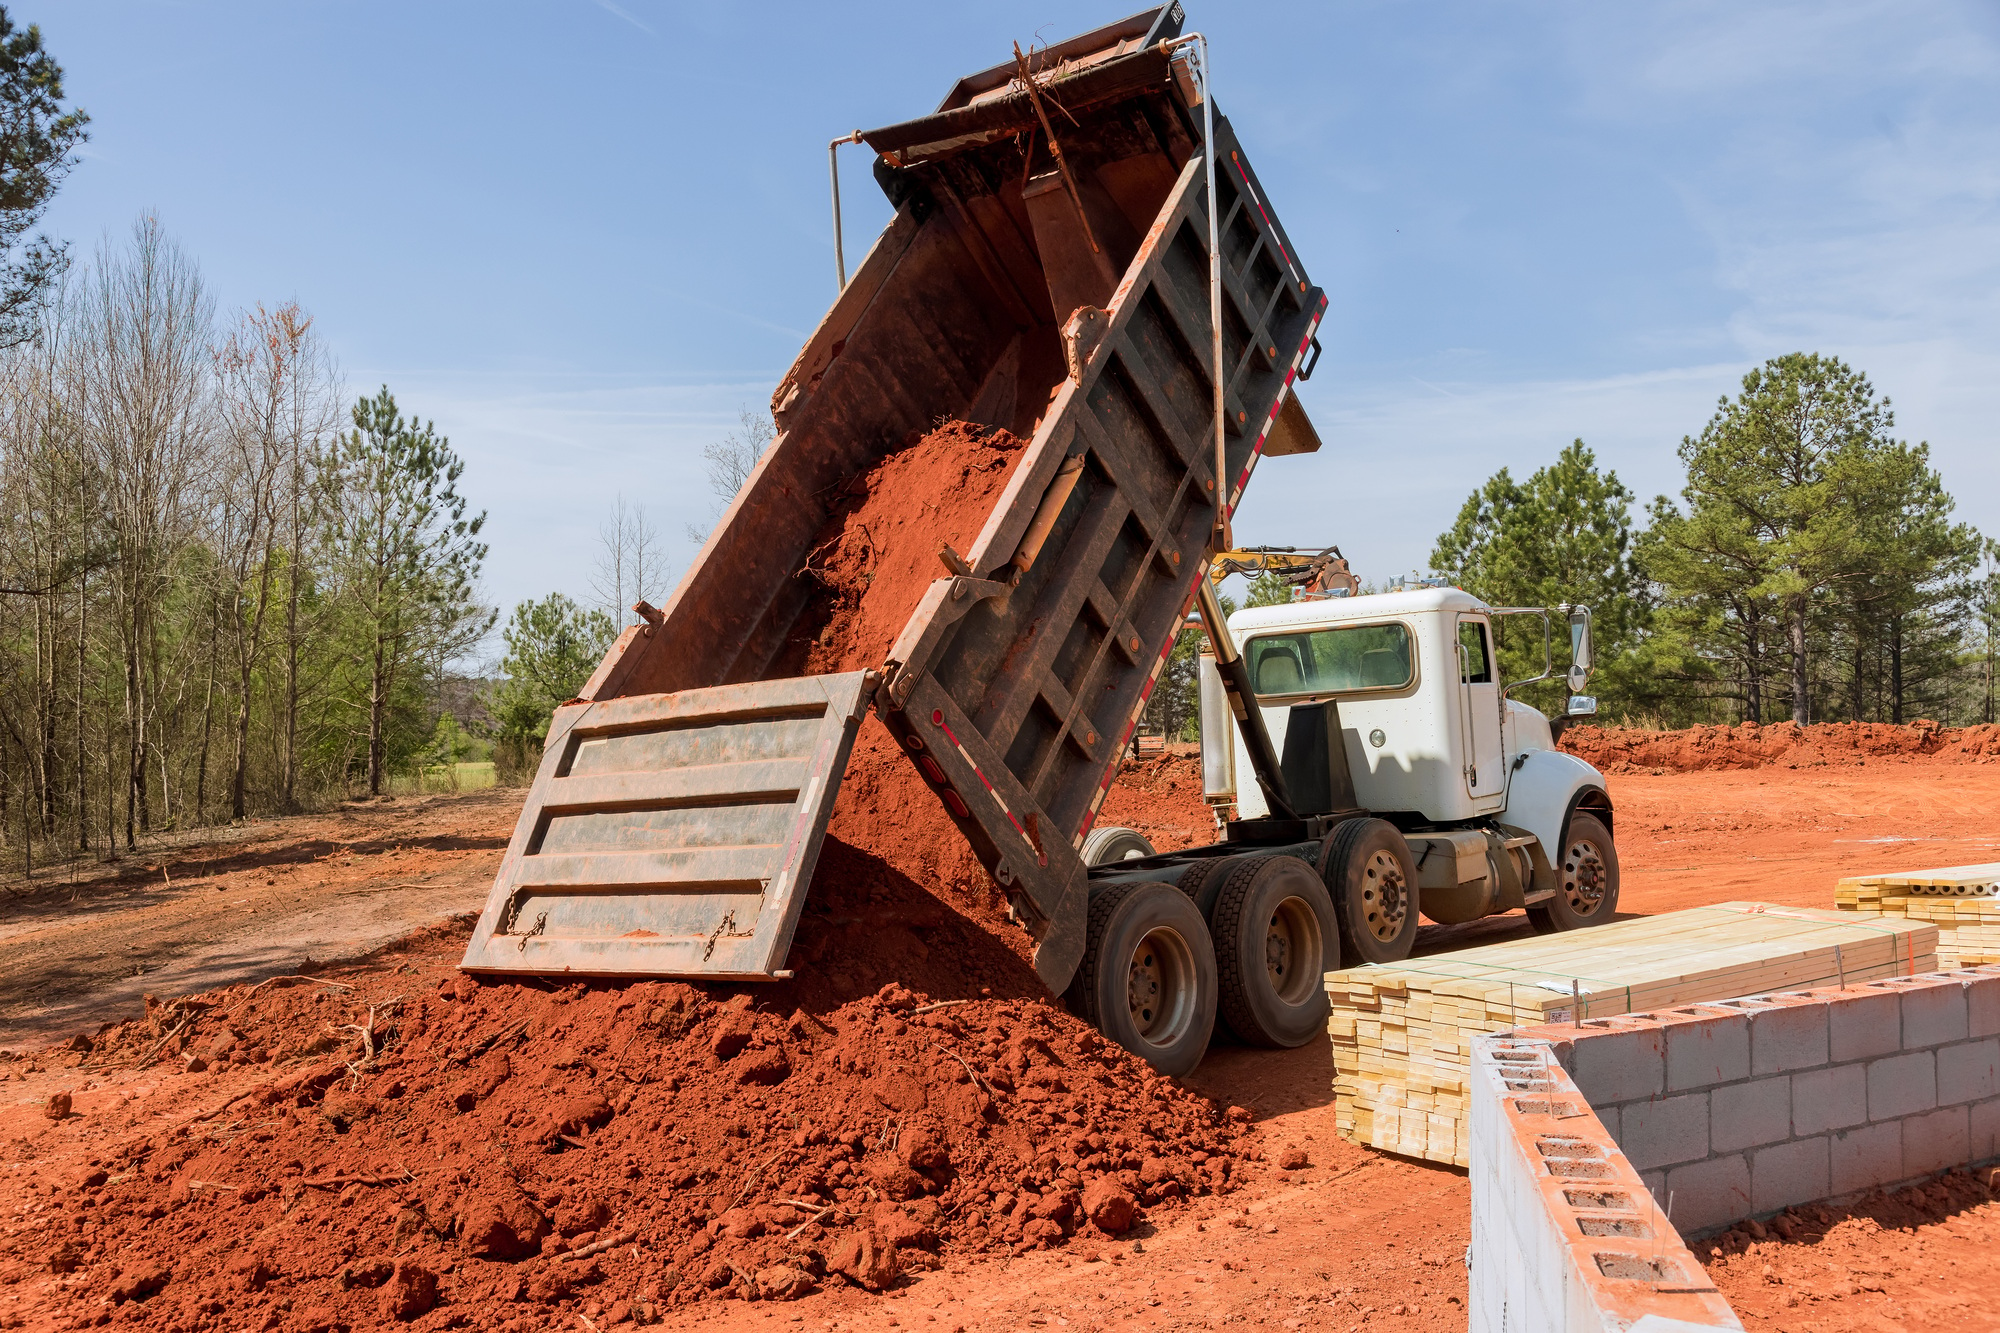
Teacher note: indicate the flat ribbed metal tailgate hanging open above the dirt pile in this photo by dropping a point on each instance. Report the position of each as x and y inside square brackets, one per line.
[673, 834]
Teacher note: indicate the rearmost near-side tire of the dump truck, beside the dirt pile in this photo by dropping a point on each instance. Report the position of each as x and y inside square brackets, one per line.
[1149, 976]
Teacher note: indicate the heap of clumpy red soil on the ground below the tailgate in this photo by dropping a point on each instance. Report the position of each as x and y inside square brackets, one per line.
[413, 1146]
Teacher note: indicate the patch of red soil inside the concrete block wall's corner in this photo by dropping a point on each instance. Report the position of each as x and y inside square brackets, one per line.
[1913, 1260]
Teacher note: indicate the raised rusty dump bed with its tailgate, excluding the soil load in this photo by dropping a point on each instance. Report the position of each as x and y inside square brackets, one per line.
[683, 798]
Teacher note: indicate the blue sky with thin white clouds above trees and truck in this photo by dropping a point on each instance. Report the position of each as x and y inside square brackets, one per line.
[583, 235]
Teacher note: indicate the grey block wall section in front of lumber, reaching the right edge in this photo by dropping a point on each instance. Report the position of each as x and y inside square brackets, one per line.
[1745, 1108]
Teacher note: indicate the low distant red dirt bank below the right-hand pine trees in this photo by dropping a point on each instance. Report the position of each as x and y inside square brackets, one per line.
[1783, 746]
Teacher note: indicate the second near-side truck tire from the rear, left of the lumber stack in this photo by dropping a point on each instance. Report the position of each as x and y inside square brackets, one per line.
[1275, 944]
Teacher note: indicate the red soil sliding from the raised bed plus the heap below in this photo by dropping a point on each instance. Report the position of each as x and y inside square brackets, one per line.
[419, 1146]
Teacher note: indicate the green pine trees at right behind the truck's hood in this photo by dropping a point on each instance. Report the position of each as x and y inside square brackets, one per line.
[1809, 569]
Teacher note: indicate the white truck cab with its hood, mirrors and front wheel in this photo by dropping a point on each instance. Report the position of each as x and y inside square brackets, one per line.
[1491, 812]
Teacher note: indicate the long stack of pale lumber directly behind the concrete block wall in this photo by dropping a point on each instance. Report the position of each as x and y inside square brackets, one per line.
[1403, 1032]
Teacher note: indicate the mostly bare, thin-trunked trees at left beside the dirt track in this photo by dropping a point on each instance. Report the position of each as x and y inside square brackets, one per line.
[227, 593]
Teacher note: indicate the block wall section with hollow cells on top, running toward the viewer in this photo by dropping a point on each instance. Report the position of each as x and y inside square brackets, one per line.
[1565, 1236]
